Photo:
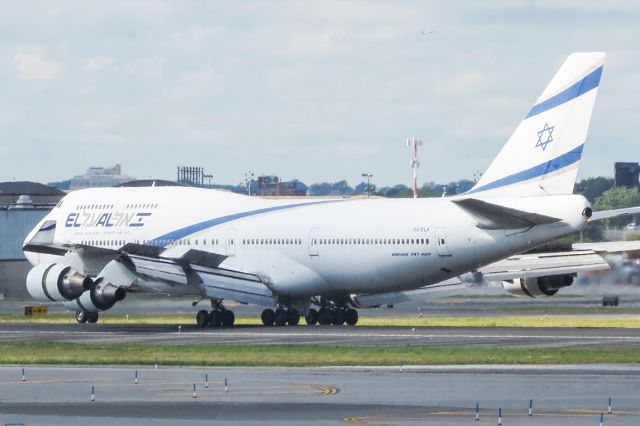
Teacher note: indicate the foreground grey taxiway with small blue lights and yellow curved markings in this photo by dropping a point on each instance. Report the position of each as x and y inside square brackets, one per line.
[319, 396]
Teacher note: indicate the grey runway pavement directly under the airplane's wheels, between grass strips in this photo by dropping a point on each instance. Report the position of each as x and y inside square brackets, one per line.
[329, 335]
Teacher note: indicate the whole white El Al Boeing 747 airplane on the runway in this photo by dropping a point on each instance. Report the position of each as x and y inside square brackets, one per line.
[97, 245]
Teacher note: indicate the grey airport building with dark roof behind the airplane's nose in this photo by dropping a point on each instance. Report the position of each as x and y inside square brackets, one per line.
[22, 206]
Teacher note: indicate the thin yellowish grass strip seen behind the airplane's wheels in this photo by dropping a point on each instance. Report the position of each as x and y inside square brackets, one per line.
[605, 320]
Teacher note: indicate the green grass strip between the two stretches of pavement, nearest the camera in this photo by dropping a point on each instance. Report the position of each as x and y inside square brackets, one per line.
[22, 353]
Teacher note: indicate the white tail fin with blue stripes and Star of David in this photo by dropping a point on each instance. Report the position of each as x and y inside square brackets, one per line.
[543, 154]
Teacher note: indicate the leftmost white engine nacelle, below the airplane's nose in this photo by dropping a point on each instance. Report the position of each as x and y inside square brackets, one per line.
[56, 282]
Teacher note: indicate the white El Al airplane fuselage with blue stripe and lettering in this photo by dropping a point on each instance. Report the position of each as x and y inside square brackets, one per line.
[307, 247]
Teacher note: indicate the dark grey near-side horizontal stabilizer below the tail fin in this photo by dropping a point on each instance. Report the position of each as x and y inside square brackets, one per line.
[494, 216]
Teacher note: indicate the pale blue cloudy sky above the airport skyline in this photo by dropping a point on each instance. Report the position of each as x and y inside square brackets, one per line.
[319, 91]
